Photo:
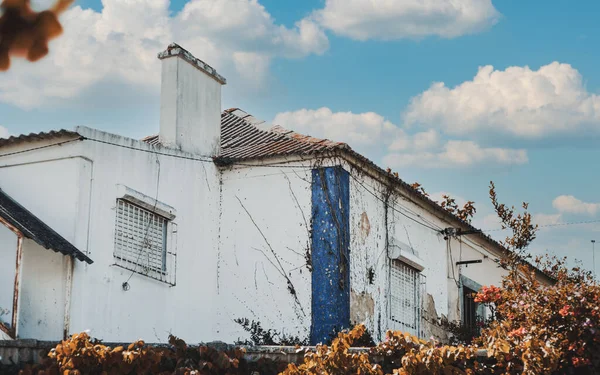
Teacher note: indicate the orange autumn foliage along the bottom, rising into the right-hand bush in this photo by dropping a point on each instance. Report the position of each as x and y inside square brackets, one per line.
[546, 320]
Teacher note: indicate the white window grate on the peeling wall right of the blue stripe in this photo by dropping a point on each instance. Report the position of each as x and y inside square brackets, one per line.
[405, 296]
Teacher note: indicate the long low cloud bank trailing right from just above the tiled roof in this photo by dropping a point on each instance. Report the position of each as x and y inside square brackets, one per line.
[371, 132]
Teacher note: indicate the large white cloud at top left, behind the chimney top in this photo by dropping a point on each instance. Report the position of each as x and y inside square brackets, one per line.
[237, 37]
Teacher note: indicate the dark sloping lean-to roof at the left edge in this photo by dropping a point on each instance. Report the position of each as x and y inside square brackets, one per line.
[35, 229]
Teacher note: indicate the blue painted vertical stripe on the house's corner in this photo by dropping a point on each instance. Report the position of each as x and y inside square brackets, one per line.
[330, 252]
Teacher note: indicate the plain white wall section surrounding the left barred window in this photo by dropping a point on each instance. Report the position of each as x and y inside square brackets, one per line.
[149, 309]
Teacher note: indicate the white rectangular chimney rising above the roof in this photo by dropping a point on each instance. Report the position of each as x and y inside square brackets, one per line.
[190, 103]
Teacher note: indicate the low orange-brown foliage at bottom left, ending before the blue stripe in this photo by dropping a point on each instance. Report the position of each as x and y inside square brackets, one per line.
[80, 355]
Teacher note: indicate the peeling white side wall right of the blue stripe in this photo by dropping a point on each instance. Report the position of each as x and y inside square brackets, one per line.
[369, 302]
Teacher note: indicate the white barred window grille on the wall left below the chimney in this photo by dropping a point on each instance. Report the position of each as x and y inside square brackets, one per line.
[141, 242]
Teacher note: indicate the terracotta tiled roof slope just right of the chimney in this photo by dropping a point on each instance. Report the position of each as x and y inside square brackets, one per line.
[243, 139]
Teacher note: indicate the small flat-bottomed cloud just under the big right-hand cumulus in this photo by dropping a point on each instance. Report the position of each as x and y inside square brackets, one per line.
[458, 154]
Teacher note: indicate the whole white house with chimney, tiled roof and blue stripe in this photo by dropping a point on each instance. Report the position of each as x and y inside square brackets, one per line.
[214, 219]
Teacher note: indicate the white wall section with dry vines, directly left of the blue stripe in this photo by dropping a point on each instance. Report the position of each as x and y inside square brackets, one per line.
[253, 271]
